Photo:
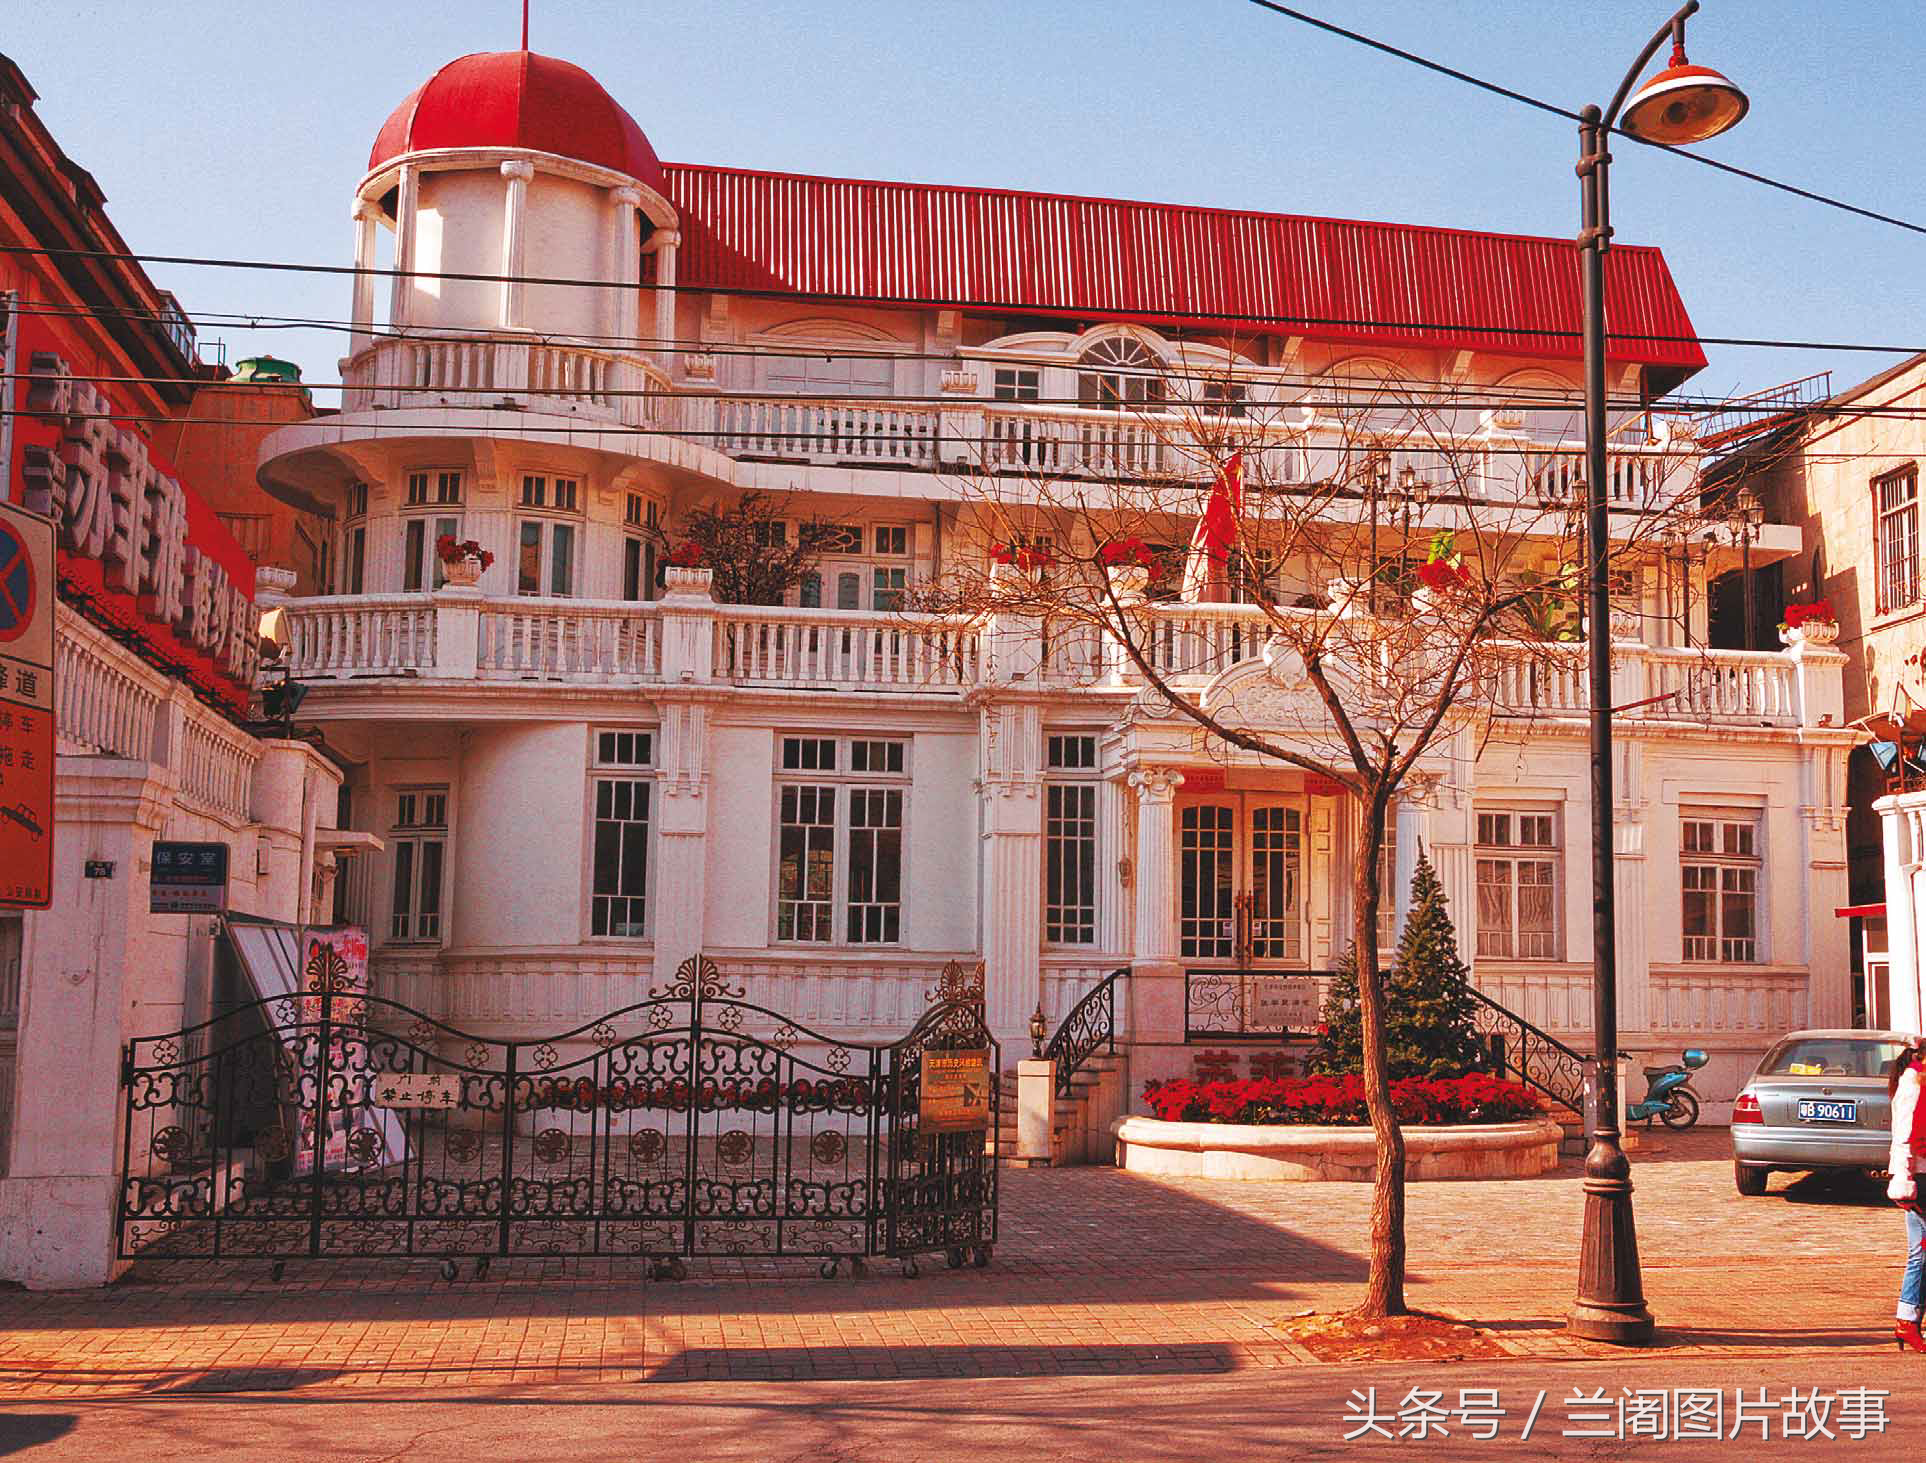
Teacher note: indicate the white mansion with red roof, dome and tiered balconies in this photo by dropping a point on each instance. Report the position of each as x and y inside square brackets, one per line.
[585, 769]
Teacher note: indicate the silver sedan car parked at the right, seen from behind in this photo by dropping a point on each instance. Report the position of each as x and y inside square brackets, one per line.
[1817, 1102]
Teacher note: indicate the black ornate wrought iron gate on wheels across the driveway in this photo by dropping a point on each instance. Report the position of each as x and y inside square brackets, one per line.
[694, 1123]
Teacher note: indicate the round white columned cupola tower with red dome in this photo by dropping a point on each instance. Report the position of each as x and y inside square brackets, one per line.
[515, 165]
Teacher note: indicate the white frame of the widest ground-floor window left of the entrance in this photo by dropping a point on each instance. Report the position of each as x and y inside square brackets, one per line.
[845, 783]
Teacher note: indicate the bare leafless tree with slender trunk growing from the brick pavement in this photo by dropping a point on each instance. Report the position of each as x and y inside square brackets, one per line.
[1411, 571]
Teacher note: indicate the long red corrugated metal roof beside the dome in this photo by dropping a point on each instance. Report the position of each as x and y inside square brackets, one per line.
[1203, 269]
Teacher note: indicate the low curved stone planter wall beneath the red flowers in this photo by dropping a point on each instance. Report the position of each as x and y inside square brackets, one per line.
[1307, 1156]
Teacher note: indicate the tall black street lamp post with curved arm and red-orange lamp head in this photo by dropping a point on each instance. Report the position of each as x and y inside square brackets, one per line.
[1680, 105]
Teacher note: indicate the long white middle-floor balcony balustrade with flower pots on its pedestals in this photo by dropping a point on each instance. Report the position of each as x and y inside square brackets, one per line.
[690, 638]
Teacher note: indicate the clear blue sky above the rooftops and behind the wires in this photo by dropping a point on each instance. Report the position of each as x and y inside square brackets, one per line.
[242, 130]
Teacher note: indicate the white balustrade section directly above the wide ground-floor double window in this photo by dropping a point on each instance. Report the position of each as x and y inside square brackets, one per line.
[837, 650]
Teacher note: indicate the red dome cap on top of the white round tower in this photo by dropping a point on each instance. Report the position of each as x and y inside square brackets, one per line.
[513, 99]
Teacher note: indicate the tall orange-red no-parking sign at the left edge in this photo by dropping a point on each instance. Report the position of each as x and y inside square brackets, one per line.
[26, 709]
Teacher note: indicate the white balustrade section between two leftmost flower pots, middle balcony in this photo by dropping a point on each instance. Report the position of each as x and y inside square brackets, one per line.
[579, 640]
